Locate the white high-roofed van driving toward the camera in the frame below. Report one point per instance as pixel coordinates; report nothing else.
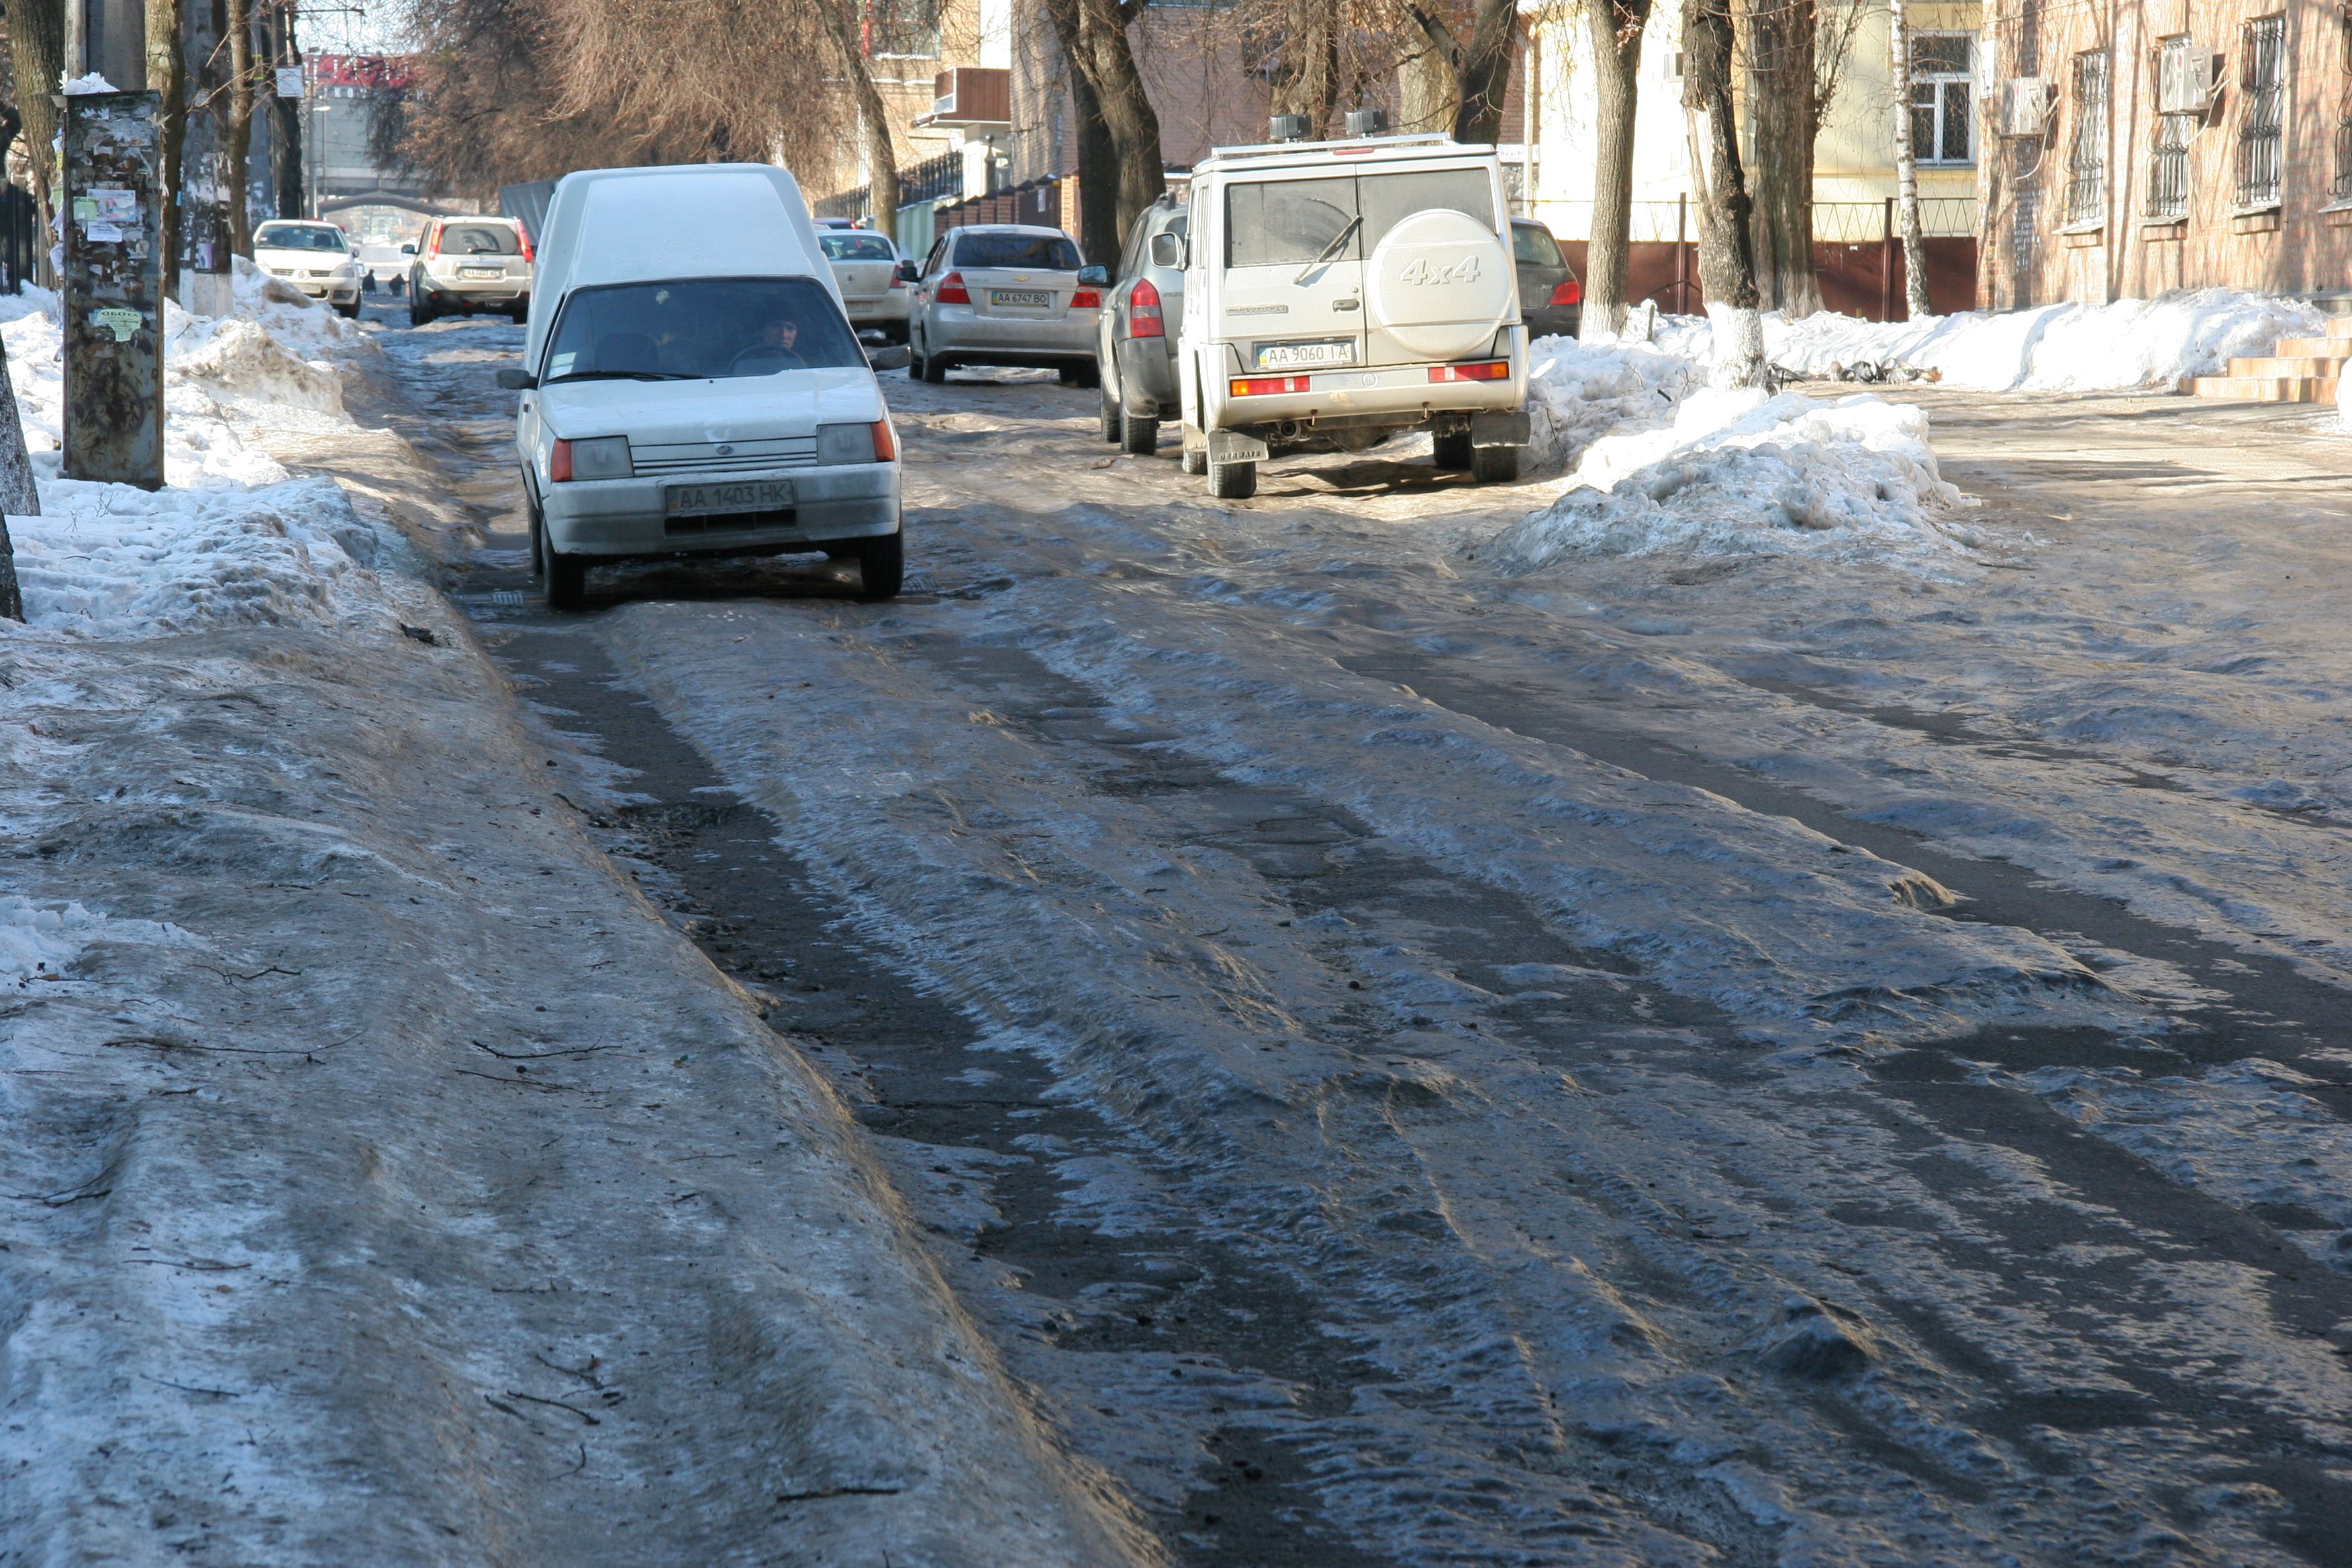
(690, 382)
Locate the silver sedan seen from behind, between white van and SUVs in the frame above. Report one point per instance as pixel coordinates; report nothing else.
(1005, 295)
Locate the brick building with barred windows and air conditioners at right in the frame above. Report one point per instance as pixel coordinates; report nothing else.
(2165, 145)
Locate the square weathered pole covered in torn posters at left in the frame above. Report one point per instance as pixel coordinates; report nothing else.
(114, 288)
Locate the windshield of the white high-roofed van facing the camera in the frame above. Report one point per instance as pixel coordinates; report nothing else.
(702, 328)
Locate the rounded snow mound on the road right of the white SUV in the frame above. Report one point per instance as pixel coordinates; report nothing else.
(1749, 474)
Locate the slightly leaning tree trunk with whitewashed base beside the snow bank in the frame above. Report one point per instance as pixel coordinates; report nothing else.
(1728, 264)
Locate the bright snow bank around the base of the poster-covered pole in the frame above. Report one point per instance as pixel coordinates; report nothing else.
(234, 540)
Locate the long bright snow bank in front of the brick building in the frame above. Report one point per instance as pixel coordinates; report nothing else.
(2054, 349)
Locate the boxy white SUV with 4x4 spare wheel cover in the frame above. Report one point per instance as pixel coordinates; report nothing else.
(1339, 293)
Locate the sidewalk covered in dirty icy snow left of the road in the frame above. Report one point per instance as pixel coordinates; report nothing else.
(385, 1179)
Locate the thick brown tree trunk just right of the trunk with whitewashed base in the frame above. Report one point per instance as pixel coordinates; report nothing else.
(1784, 46)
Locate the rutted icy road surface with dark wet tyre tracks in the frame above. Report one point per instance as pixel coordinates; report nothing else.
(1652, 1061)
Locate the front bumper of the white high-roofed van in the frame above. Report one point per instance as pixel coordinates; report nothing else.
(629, 516)
